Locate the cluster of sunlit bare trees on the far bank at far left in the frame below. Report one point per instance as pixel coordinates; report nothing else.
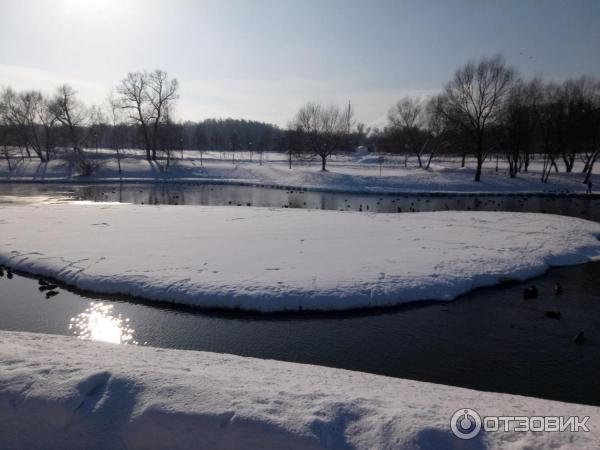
(39, 124)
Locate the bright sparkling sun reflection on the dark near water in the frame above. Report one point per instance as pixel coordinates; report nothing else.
(99, 323)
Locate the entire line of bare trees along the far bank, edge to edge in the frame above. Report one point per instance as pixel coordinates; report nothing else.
(485, 110)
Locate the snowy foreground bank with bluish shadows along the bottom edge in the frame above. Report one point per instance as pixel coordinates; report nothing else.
(60, 392)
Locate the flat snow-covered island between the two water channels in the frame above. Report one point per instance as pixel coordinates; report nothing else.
(278, 259)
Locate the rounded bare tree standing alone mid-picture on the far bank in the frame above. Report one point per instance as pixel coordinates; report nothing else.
(323, 129)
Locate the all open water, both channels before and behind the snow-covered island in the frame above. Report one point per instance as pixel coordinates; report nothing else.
(491, 339)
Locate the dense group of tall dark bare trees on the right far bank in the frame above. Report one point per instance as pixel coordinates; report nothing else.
(486, 110)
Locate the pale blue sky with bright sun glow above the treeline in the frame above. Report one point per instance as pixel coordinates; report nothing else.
(262, 59)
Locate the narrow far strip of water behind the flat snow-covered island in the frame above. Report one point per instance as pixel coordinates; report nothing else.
(583, 206)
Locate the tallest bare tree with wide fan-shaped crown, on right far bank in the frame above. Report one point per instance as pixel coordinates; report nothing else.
(474, 98)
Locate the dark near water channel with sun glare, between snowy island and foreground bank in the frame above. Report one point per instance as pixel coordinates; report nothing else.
(490, 339)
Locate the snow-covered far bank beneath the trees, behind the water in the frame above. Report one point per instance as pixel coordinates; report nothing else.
(345, 173)
